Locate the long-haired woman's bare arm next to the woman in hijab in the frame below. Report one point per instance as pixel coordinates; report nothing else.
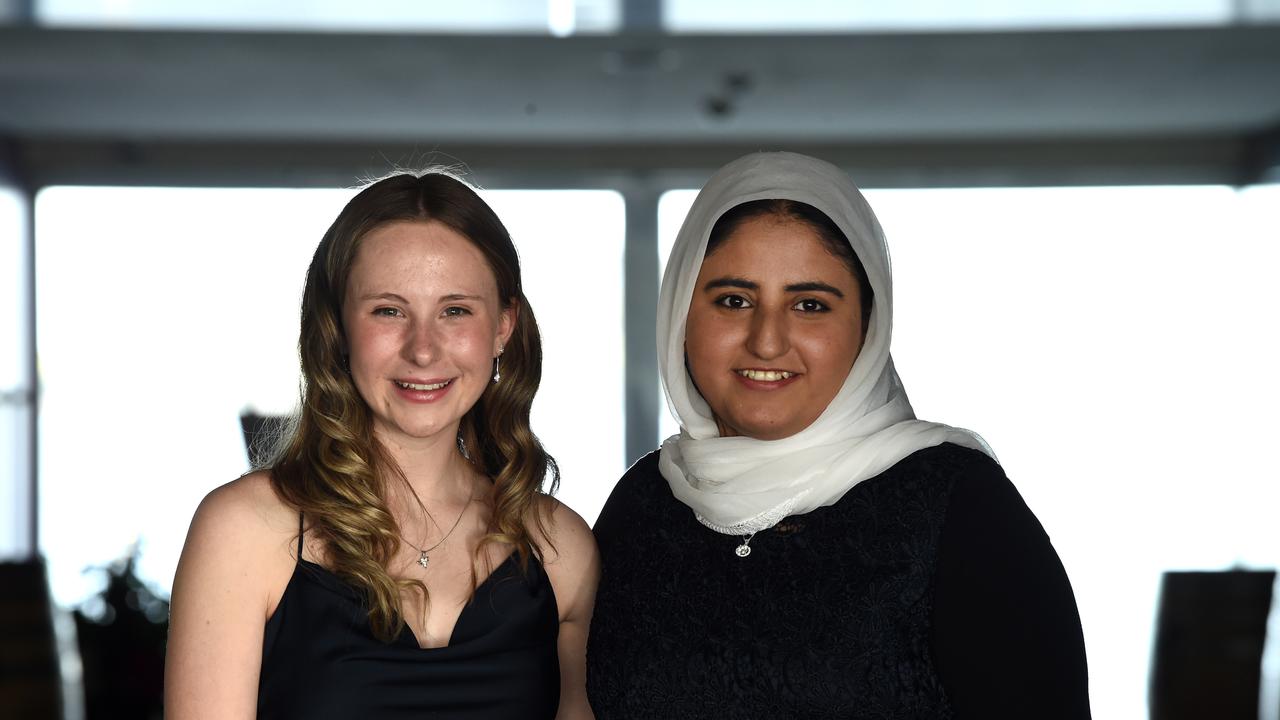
(574, 569)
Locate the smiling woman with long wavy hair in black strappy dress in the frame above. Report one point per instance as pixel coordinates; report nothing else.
(399, 558)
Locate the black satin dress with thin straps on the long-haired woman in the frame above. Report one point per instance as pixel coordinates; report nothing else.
(321, 660)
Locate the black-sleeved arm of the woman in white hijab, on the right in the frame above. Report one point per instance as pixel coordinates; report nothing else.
(1007, 632)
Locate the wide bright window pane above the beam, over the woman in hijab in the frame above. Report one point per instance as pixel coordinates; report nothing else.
(844, 16)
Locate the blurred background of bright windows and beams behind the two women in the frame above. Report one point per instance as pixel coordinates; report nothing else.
(1082, 202)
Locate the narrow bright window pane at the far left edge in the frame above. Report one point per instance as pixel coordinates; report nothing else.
(15, 384)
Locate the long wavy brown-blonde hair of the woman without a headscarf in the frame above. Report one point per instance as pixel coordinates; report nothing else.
(332, 468)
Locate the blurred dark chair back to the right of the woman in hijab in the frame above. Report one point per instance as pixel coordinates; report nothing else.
(1210, 635)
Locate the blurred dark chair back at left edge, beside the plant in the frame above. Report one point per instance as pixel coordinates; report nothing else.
(30, 683)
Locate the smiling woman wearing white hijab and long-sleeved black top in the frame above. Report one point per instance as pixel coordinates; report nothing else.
(806, 548)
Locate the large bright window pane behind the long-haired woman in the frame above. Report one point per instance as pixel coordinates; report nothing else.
(166, 313)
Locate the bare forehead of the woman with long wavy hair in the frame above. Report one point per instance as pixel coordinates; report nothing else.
(426, 256)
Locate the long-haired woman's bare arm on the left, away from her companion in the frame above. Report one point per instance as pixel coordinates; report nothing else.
(232, 572)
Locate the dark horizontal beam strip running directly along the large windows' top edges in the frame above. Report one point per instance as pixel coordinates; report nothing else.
(1148, 161)
